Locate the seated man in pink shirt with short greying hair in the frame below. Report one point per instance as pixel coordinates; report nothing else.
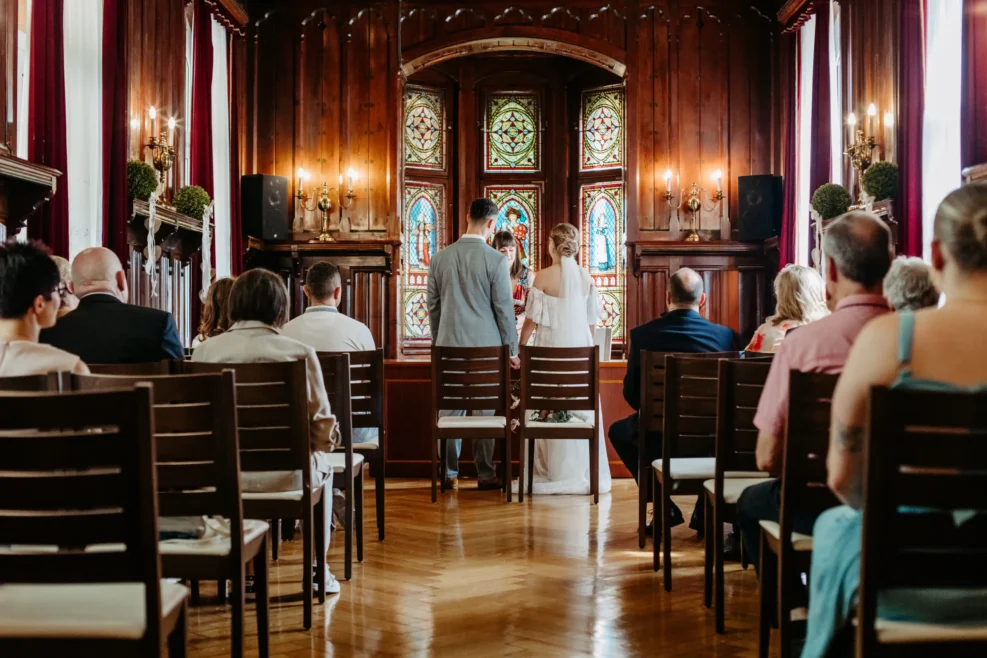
(857, 249)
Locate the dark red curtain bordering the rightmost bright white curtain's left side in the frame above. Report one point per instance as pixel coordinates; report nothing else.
(911, 118)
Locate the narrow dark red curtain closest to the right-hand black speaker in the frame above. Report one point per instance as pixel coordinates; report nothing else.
(789, 73)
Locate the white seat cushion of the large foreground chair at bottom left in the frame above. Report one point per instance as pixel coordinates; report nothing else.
(110, 611)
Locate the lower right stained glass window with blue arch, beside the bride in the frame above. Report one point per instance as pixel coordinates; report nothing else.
(602, 253)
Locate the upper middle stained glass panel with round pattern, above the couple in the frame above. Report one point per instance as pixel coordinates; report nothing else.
(511, 127)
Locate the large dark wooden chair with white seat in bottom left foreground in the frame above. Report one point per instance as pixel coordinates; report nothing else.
(65, 487)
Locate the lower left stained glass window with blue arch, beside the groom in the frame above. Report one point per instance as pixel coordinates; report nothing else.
(422, 230)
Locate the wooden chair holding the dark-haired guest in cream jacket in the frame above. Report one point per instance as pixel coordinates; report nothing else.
(273, 427)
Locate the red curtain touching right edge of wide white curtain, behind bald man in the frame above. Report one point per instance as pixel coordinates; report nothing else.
(116, 206)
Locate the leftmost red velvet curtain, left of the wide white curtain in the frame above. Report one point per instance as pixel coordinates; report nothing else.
(46, 121)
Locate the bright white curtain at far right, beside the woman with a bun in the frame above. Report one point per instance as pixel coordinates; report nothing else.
(941, 157)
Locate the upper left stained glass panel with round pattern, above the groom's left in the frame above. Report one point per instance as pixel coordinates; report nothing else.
(424, 134)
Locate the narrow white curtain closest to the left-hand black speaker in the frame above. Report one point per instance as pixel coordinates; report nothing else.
(221, 149)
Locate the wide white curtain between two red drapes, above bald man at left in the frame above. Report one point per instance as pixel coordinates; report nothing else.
(84, 122)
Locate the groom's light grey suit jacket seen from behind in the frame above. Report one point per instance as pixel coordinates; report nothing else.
(470, 303)
